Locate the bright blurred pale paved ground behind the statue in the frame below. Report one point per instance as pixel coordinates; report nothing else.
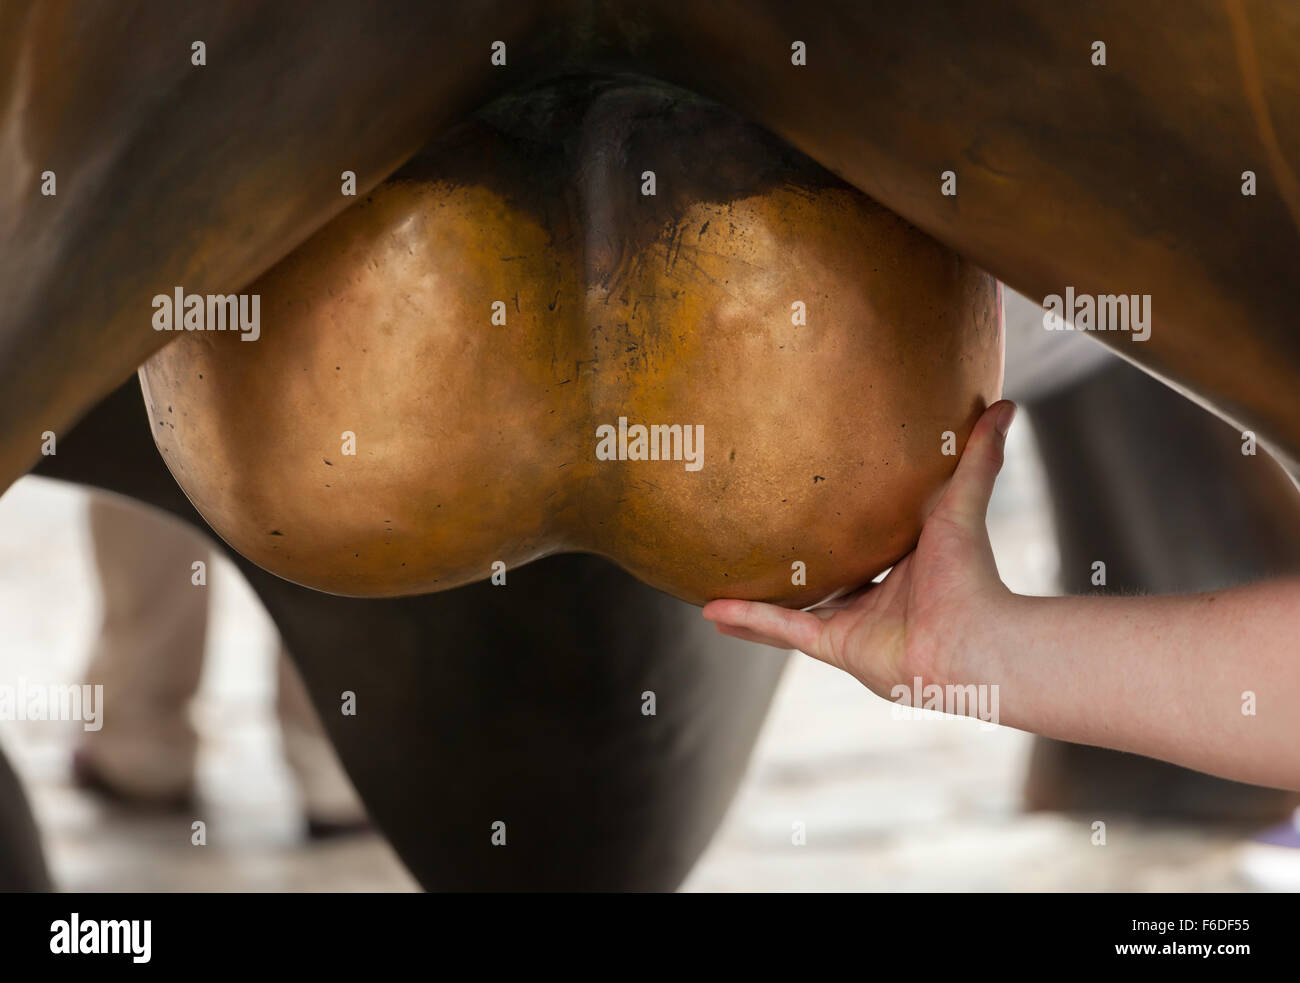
(895, 806)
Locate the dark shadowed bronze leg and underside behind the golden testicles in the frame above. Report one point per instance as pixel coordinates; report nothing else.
(604, 725)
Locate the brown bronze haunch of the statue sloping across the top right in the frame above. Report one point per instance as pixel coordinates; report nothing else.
(1116, 179)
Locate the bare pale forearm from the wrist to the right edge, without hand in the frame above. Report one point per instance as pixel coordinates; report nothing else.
(1211, 682)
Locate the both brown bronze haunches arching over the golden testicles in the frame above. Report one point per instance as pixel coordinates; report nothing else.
(1124, 177)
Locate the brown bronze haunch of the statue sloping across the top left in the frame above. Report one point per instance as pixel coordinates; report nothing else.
(168, 172)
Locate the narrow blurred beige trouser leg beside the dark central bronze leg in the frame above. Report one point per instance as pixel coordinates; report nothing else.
(330, 802)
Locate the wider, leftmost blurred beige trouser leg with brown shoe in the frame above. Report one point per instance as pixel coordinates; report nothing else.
(149, 656)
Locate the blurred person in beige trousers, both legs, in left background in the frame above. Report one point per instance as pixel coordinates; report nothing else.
(150, 661)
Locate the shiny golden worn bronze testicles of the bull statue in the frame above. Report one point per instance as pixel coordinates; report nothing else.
(749, 383)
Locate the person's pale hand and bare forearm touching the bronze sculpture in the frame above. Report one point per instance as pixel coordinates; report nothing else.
(1171, 678)
